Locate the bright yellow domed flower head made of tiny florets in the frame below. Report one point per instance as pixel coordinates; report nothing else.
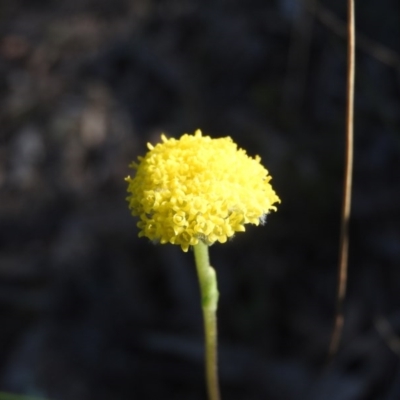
(198, 188)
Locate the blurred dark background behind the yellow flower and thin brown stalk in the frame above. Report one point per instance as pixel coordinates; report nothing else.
(88, 310)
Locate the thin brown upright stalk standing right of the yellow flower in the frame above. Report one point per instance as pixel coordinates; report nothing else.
(344, 231)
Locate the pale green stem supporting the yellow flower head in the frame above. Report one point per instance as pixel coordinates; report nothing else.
(209, 301)
